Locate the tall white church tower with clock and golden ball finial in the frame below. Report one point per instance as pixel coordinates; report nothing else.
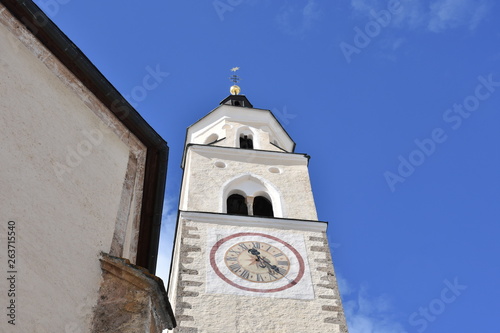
(250, 254)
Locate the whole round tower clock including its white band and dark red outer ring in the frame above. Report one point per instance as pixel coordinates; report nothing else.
(257, 262)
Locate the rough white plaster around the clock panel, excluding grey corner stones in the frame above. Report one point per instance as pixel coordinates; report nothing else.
(219, 312)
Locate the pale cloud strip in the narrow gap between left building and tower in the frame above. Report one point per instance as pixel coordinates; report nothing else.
(168, 222)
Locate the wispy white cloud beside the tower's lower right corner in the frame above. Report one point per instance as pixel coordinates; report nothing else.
(368, 314)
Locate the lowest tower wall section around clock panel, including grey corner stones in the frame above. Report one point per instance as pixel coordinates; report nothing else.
(198, 311)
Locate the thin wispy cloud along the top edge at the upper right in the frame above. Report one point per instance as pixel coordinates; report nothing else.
(434, 16)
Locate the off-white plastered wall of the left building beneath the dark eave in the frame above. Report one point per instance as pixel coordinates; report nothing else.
(71, 179)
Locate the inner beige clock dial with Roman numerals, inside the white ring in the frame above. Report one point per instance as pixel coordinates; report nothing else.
(257, 262)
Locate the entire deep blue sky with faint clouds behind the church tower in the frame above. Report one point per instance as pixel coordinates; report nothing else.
(397, 102)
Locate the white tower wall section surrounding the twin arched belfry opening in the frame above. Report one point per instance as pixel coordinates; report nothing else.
(210, 170)
